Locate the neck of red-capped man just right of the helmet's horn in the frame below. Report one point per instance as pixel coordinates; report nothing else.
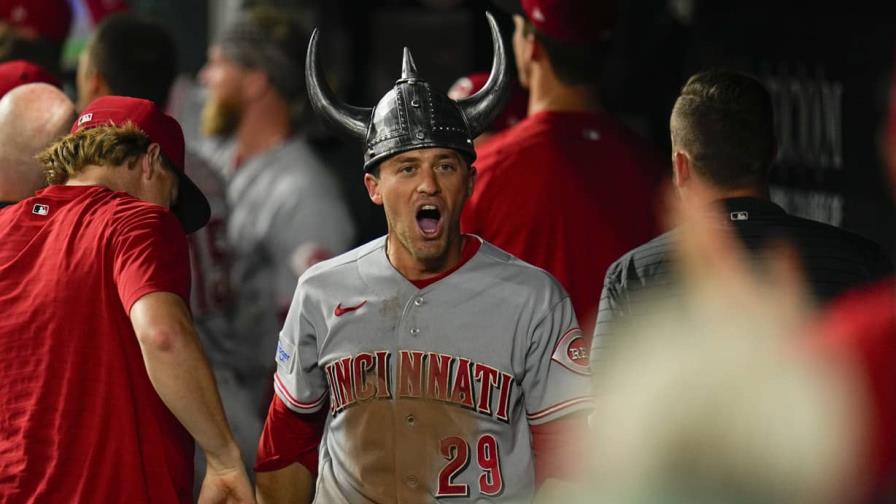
(549, 94)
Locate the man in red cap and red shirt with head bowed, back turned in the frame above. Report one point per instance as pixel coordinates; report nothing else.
(104, 384)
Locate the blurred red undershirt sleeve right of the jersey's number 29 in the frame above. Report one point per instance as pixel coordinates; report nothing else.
(557, 448)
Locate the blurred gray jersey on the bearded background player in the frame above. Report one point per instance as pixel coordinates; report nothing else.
(283, 204)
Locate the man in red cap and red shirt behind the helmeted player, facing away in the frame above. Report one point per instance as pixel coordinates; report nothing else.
(569, 188)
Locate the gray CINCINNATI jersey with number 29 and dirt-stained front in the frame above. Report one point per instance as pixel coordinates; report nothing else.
(431, 391)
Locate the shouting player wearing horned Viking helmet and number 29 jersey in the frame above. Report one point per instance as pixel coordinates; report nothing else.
(436, 366)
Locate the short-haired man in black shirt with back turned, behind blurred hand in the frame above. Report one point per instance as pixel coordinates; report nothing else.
(722, 148)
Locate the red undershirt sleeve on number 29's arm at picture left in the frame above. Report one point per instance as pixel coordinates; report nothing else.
(289, 437)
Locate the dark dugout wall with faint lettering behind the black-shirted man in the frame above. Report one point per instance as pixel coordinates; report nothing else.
(827, 66)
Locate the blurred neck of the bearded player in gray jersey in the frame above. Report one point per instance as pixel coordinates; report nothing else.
(265, 124)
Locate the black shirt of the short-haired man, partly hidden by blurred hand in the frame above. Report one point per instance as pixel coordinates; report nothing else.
(833, 261)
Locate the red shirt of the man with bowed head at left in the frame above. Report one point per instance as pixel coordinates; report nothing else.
(79, 419)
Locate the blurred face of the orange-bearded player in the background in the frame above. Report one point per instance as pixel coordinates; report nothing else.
(222, 78)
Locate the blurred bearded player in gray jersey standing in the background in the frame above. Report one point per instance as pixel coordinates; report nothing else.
(277, 187)
